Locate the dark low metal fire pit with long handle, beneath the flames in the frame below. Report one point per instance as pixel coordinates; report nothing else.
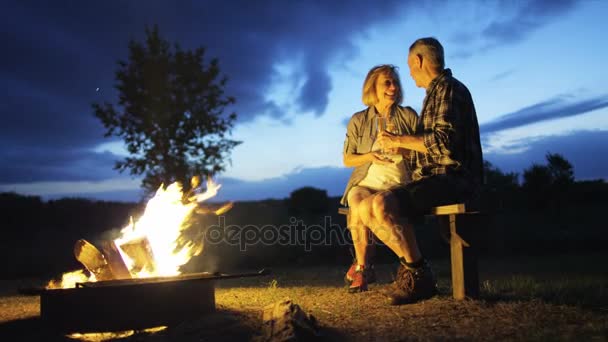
(130, 304)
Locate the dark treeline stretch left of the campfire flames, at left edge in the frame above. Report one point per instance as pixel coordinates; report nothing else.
(38, 236)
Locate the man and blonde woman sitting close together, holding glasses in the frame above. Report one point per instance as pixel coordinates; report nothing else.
(405, 165)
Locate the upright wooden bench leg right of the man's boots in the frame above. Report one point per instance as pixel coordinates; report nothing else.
(465, 279)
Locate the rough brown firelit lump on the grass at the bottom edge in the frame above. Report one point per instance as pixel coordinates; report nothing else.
(286, 321)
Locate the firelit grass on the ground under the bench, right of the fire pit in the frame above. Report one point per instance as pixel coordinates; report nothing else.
(525, 298)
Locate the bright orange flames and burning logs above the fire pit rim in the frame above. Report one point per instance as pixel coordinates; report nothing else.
(155, 245)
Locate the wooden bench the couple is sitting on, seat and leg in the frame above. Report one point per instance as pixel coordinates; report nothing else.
(458, 228)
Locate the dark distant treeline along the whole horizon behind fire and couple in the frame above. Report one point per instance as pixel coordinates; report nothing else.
(546, 212)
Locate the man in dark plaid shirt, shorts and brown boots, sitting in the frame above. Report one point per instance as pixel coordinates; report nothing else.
(448, 169)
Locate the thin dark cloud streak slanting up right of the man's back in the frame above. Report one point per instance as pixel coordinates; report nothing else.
(552, 109)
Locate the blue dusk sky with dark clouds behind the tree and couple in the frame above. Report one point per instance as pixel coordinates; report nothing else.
(536, 70)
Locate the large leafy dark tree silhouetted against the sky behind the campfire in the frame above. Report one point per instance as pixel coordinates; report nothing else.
(170, 113)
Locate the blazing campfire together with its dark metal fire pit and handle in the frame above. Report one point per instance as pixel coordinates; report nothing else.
(134, 281)
